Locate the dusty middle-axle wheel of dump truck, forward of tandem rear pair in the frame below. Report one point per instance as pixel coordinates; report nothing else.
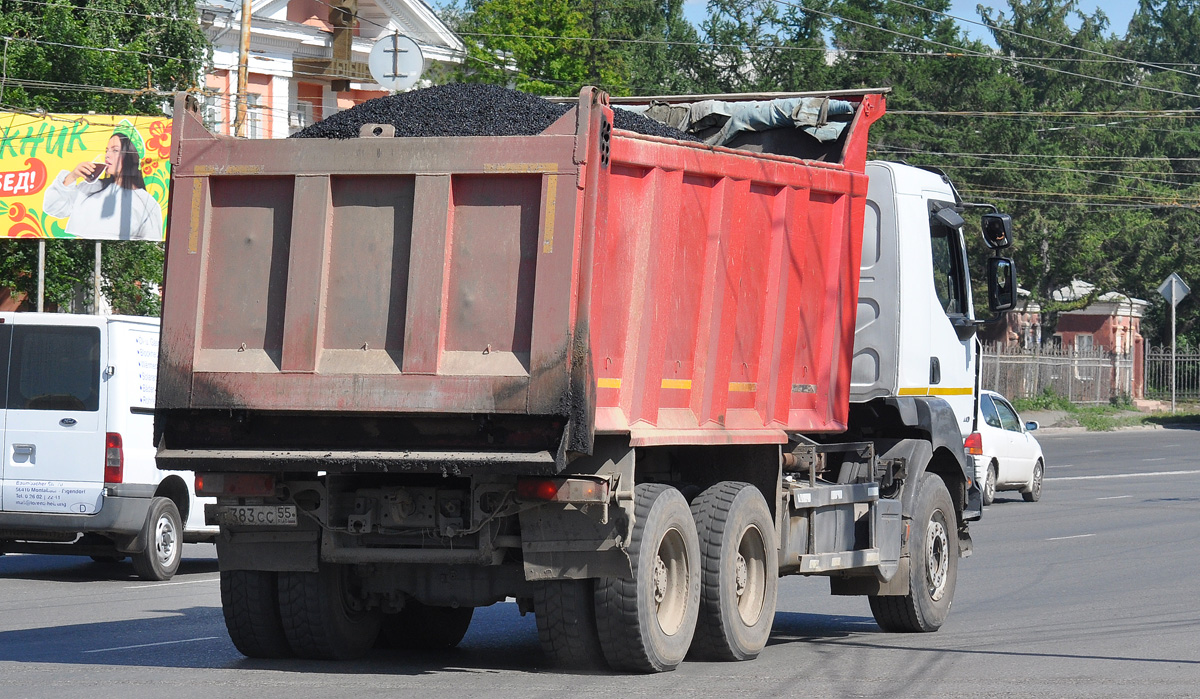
(740, 572)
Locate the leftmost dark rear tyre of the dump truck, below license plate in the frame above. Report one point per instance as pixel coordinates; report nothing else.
(250, 601)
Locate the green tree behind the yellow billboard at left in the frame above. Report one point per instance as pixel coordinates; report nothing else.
(110, 57)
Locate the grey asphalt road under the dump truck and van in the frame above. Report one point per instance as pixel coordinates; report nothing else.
(1090, 593)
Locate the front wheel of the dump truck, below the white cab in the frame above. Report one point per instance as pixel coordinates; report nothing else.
(933, 567)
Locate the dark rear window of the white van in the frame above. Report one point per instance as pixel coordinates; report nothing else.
(55, 369)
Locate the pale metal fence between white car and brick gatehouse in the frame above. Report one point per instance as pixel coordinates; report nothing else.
(1084, 377)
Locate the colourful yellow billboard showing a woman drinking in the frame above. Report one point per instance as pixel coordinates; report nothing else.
(85, 176)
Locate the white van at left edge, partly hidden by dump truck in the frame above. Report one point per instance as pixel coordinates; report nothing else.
(77, 474)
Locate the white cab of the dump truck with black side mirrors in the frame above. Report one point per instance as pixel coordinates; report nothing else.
(915, 339)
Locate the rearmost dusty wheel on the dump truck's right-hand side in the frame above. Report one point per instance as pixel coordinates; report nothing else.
(646, 623)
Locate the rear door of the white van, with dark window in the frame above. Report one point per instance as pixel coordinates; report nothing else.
(55, 429)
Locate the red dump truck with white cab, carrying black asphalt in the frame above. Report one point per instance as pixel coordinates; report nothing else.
(626, 380)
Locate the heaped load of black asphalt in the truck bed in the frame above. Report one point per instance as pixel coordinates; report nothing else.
(467, 110)
